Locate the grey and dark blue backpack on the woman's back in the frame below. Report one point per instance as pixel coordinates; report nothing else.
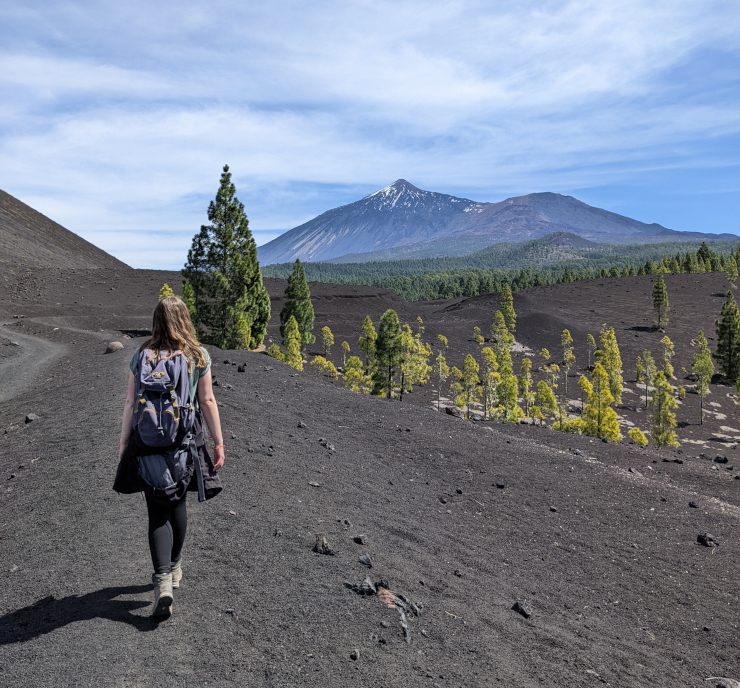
(163, 410)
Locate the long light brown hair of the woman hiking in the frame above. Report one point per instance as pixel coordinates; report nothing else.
(173, 330)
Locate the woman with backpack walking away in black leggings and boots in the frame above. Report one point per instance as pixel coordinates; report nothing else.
(163, 450)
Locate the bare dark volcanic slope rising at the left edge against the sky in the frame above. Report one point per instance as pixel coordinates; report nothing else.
(30, 239)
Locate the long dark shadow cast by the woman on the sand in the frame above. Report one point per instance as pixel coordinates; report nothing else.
(48, 614)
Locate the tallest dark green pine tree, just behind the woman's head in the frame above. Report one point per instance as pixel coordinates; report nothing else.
(224, 274)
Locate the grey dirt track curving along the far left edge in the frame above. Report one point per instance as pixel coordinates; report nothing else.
(35, 356)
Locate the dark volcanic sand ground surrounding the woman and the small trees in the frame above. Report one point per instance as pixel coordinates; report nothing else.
(463, 519)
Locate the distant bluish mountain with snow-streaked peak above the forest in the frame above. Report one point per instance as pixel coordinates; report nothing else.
(402, 220)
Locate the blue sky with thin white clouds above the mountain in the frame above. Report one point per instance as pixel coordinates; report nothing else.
(116, 118)
